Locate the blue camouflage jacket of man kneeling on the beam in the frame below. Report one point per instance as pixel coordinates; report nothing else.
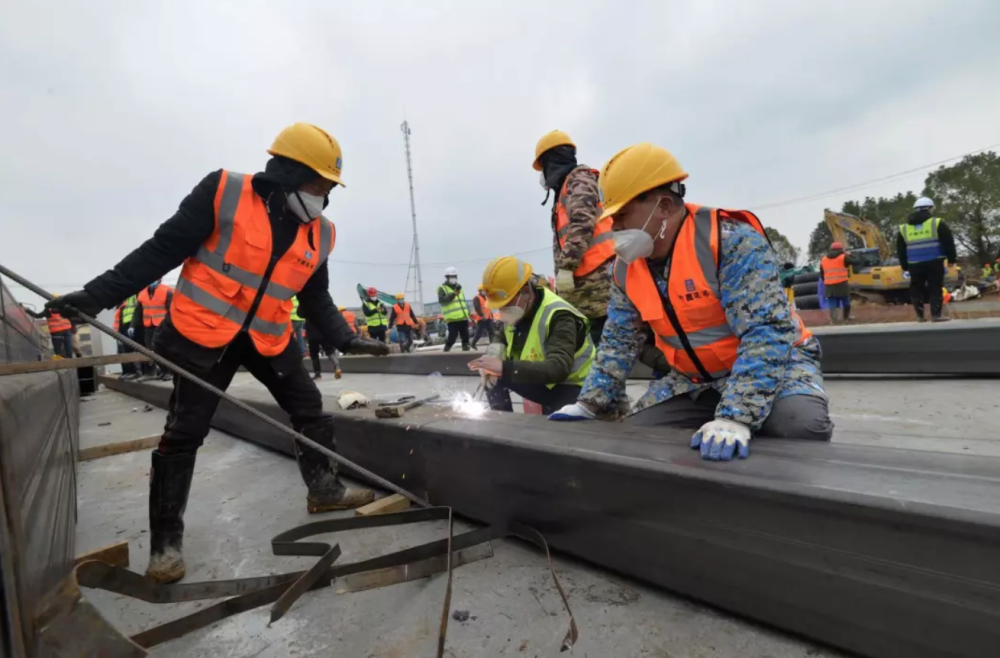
(768, 364)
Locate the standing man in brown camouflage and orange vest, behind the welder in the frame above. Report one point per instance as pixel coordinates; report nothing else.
(582, 246)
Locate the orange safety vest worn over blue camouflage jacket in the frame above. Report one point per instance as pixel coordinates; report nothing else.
(690, 324)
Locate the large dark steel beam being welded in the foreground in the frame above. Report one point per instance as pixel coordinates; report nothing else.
(883, 552)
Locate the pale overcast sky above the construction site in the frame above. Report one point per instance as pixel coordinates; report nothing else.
(112, 111)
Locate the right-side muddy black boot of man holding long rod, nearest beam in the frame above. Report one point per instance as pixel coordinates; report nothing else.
(326, 492)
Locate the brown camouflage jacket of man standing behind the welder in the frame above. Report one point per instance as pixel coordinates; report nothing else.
(582, 201)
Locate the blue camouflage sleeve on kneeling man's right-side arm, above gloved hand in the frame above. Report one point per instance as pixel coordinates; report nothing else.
(760, 315)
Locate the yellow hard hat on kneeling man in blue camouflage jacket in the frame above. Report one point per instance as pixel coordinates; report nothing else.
(634, 170)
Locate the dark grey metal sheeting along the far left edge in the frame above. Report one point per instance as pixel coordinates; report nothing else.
(39, 432)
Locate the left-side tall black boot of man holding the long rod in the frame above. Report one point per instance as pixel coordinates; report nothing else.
(169, 485)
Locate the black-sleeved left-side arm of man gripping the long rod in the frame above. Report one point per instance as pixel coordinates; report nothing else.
(175, 239)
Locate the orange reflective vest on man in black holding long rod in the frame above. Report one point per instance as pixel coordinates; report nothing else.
(221, 282)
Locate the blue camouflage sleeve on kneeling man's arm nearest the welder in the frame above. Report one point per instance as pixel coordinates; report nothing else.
(622, 341)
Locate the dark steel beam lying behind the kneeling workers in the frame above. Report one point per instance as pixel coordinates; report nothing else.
(960, 347)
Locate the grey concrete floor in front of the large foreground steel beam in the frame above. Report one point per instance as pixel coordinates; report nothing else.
(243, 495)
